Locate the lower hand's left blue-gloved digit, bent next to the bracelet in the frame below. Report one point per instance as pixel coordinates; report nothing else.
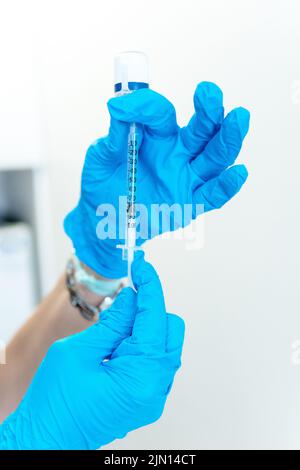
(115, 324)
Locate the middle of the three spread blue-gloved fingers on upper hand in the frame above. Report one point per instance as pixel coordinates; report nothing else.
(225, 146)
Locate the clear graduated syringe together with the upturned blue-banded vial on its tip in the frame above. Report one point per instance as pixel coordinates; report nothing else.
(131, 73)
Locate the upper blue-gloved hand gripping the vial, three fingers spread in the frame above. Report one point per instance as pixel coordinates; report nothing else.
(191, 165)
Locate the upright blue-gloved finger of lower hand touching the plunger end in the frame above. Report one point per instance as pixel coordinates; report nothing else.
(149, 329)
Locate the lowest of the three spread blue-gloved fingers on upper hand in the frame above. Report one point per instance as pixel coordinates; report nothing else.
(217, 191)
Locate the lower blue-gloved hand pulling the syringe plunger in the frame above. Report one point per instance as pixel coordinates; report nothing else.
(80, 400)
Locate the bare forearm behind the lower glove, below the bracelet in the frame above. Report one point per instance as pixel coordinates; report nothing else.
(54, 318)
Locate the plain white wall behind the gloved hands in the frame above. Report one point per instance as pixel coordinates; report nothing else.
(239, 295)
